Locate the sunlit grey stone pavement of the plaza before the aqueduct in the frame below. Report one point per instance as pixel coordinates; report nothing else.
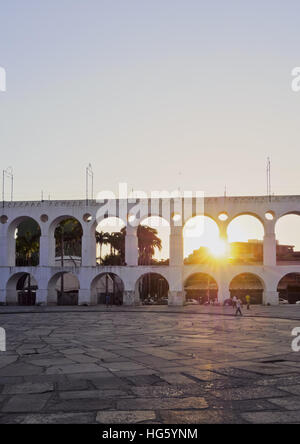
(149, 365)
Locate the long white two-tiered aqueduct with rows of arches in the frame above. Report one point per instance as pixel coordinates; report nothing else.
(47, 215)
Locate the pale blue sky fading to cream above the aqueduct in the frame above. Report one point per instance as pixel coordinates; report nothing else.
(158, 94)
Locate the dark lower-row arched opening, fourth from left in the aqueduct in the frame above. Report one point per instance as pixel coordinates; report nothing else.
(152, 289)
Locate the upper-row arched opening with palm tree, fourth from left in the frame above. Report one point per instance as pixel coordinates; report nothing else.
(154, 241)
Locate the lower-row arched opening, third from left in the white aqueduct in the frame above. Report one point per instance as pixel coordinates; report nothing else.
(107, 288)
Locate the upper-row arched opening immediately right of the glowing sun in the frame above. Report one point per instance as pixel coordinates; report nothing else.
(245, 238)
